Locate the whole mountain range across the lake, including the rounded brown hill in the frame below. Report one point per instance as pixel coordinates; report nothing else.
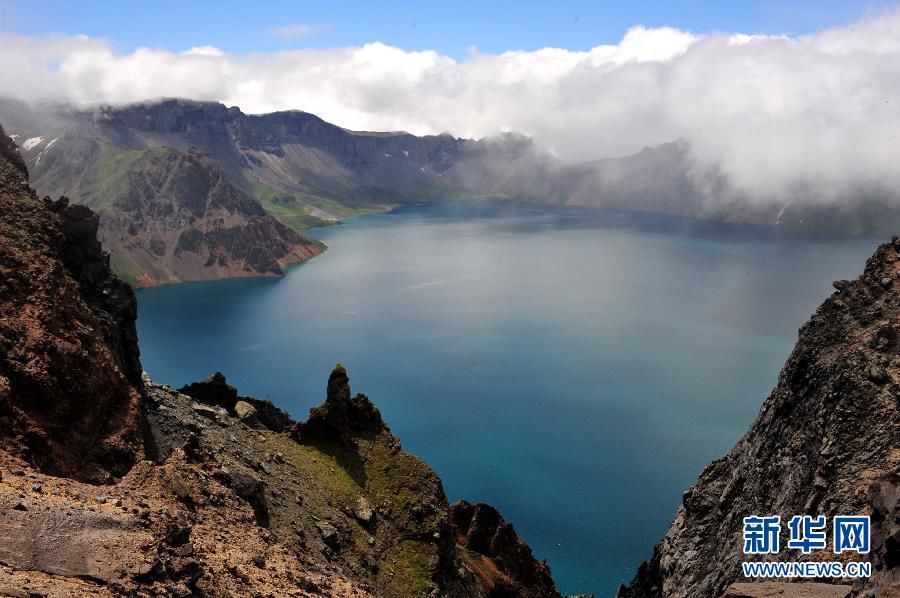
(196, 190)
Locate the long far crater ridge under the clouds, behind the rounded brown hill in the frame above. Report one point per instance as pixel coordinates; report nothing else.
(305, 170)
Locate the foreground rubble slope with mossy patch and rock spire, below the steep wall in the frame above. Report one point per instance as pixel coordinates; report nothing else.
(230, 509)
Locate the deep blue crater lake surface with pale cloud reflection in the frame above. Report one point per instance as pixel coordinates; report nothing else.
(575, 369)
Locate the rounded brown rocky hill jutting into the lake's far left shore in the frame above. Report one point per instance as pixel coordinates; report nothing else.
(168, 216)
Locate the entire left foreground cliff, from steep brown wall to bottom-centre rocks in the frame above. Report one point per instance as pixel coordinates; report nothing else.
(112, 485)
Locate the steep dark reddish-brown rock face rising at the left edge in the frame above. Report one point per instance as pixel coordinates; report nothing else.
(69, 367)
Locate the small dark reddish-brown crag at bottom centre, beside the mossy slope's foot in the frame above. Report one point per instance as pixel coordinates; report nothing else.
(503, 564)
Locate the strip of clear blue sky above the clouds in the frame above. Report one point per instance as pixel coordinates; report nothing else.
(448, 27)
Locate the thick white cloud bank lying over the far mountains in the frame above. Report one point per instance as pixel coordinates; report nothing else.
(771, 114)
